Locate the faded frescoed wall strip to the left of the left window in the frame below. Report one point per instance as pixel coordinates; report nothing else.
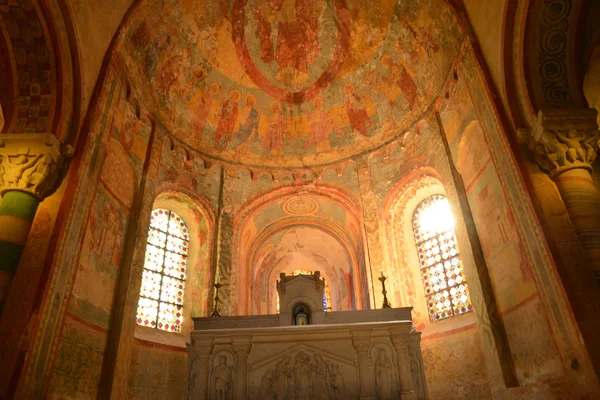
(119, 153)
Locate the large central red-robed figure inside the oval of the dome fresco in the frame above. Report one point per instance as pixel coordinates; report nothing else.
(297, 43)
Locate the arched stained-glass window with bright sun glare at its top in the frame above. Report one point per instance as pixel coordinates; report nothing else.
(446, 289)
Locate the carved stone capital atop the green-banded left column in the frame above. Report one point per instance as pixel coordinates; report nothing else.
(32, 163)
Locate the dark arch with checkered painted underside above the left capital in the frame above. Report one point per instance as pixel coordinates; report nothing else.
(43, 81)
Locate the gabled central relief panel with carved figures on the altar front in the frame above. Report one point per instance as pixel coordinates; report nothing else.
(303, 372)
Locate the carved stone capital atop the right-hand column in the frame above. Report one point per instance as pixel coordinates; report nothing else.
(565, 139)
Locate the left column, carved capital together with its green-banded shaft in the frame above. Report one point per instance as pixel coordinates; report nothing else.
(30, 171)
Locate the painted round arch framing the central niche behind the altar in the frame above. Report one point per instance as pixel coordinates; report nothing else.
(277, 213)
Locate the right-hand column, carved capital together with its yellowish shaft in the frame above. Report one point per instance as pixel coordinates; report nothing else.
(565, 144)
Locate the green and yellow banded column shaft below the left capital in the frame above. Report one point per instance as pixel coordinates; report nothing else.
(17, 210)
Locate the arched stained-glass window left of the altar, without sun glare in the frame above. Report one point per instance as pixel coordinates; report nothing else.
(160, 303)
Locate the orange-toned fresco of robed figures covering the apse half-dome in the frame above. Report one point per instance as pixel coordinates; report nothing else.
(289, 83)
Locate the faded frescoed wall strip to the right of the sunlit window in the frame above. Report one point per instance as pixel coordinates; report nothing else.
(532, 302)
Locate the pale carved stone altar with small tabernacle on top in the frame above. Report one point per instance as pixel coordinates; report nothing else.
(369, 354)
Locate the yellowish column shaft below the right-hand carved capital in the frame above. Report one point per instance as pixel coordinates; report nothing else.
(582, 200)
